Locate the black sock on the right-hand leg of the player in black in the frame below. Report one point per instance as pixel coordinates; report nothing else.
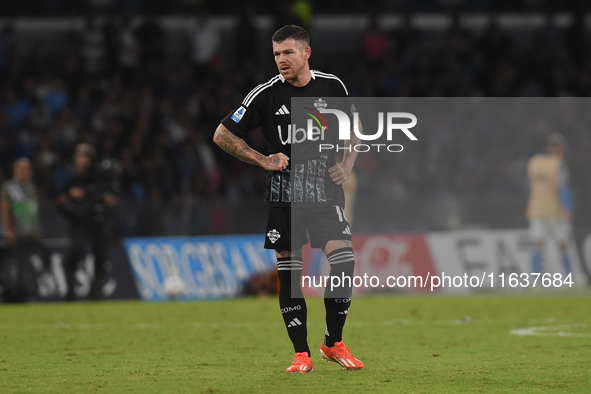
(337, 300)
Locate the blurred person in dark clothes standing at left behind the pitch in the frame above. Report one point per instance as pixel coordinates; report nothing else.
(89, 203)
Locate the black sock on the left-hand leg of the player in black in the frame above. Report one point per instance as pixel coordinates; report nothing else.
(292, 302)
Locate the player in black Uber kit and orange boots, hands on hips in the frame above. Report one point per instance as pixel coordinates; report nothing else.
(269, 106)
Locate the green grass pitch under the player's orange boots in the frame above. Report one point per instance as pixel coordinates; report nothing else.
(407, 345)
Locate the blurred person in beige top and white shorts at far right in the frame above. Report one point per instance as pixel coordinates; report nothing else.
(550, 205)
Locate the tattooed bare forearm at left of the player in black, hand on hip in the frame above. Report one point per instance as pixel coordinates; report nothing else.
(238, 148)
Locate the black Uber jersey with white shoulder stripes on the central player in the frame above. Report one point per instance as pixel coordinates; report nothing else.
(306, 182)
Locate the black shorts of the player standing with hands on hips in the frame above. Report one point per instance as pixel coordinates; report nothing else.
(289, 228)
